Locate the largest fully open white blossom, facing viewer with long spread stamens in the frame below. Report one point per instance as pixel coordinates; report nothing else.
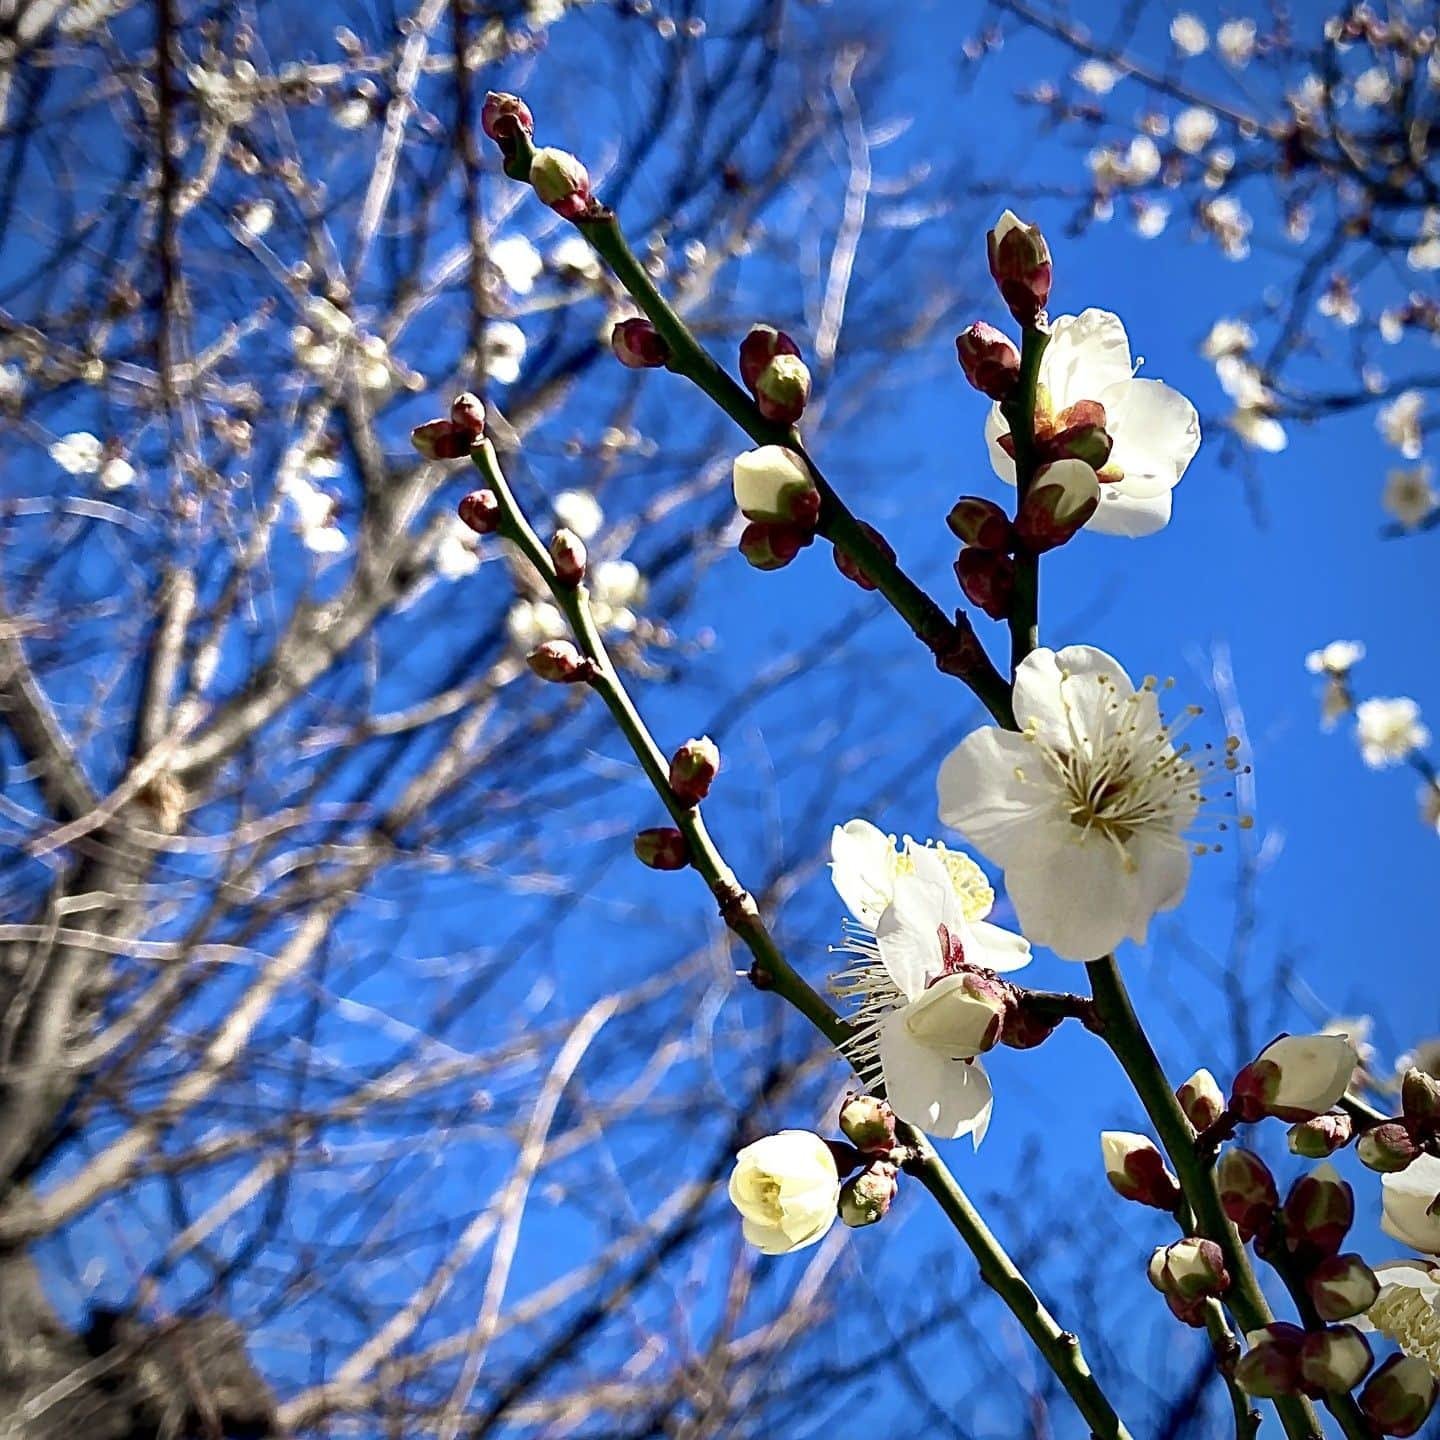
(1085, 809)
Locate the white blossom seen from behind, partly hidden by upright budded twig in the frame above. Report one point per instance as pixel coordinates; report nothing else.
(1156, 430)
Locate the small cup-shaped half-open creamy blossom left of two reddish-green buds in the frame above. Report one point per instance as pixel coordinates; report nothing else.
(786, 1187)
